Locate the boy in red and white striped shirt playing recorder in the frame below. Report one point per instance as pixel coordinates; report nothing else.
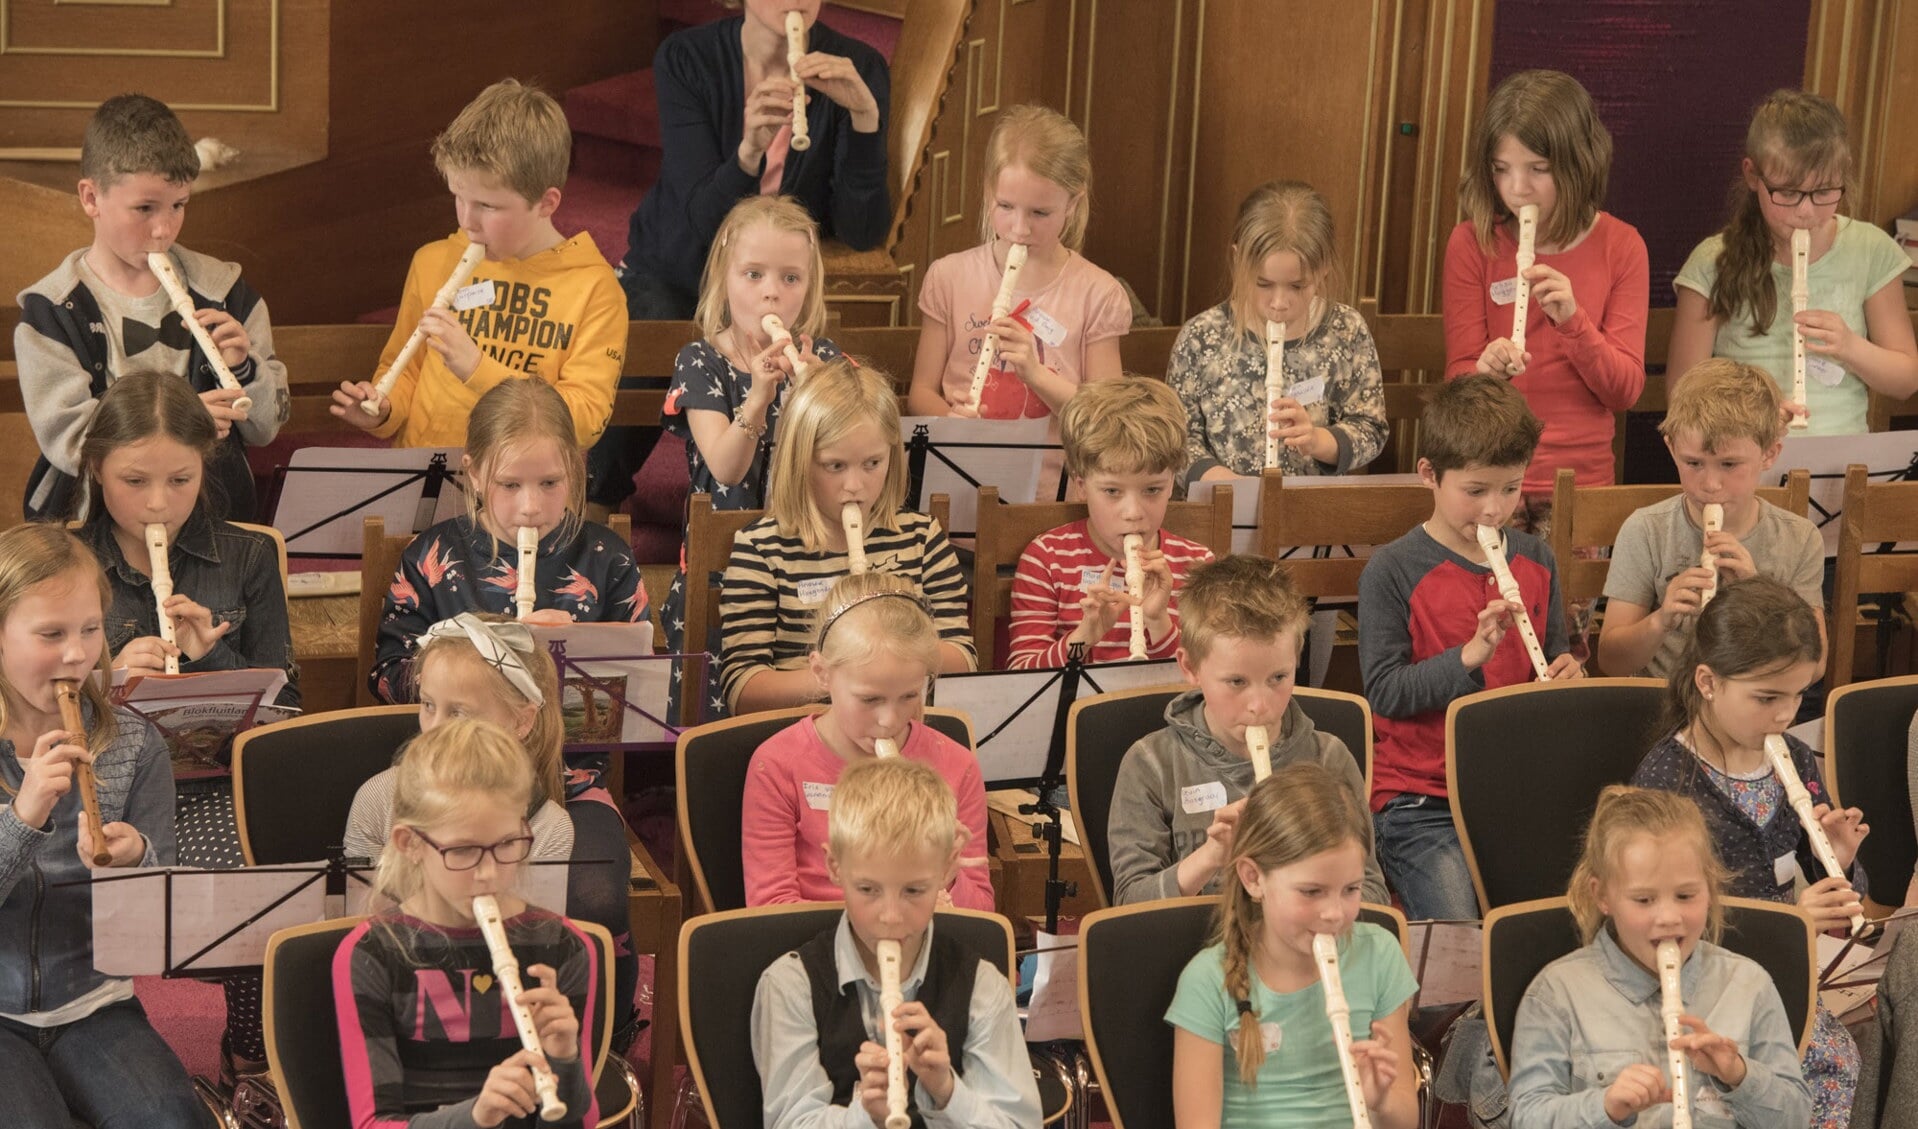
(1125, 449)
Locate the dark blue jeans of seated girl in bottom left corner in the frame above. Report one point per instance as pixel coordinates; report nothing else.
(112, 1071)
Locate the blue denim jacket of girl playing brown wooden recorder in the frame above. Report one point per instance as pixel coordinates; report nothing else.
(47, 917)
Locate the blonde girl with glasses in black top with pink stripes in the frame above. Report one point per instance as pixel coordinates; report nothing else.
(427, 1040)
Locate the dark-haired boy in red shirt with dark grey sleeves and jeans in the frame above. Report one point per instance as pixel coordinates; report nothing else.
(1434, 628)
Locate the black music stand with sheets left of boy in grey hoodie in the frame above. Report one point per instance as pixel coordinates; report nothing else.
(1023, 718)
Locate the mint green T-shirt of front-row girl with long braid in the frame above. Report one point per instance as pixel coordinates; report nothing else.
(1299, 1084)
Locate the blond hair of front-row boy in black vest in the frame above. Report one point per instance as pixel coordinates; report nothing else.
(893, 808)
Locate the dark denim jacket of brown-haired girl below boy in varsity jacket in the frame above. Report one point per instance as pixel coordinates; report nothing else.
(223, 568)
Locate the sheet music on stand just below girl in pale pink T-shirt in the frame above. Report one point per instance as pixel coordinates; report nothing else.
(971, 453)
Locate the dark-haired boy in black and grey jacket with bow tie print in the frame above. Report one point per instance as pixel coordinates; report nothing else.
(103, 313)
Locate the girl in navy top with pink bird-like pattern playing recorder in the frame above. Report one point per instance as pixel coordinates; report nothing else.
(523, 467)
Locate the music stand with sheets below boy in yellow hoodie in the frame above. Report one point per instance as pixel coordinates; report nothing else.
(329, 492)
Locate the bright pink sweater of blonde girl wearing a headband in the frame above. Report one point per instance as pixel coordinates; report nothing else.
(789, 791)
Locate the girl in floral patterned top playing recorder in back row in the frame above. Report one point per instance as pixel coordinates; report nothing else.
(1332, 415)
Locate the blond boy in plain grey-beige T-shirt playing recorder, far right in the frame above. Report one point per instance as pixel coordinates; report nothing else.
(1725, 426)
